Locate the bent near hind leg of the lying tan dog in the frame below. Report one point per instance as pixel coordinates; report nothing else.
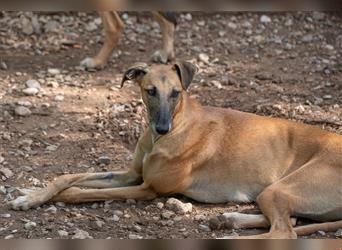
(312, 191)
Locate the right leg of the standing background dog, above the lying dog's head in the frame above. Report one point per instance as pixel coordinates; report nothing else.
(167, 28)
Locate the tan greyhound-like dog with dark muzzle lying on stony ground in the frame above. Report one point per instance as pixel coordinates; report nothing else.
(217, 155)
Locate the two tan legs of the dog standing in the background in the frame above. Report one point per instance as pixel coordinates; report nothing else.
(113, 28)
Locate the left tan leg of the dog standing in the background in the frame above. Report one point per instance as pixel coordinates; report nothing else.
(113, 27)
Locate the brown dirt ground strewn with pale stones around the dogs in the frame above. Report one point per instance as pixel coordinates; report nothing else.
(57, 118)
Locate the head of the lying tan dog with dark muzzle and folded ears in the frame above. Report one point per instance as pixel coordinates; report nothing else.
(161, 89)
